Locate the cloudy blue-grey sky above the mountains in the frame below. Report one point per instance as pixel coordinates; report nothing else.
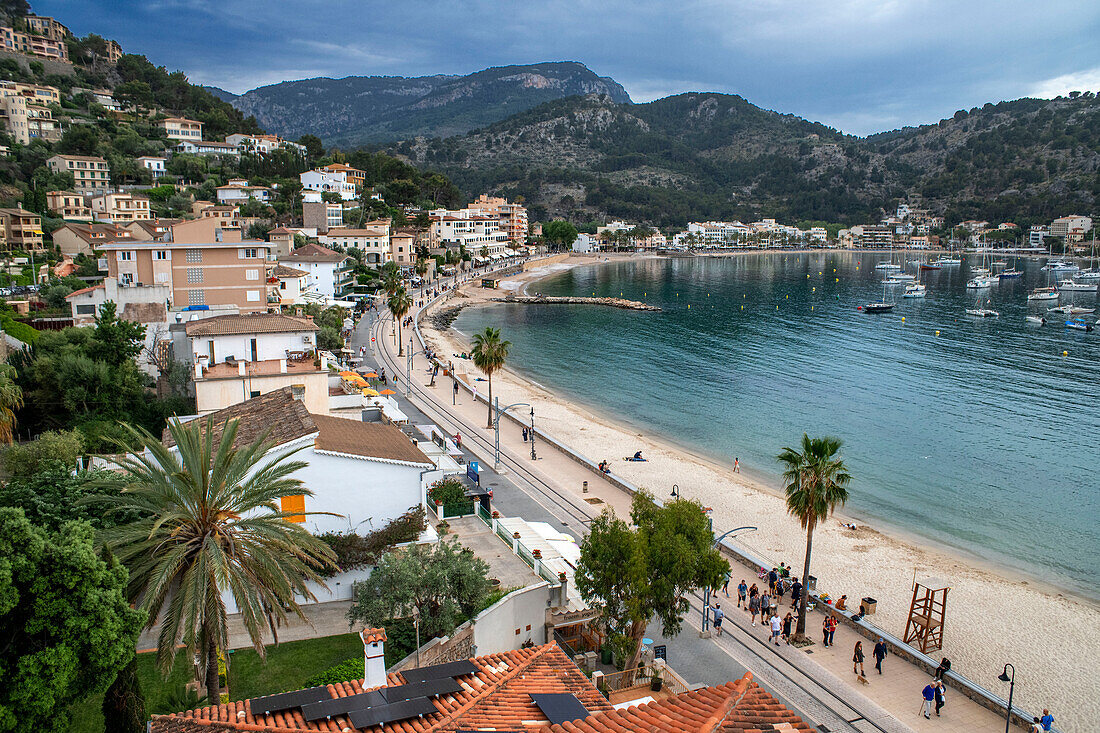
(862, 67)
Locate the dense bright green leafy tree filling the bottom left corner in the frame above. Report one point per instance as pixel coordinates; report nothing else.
(67, 628)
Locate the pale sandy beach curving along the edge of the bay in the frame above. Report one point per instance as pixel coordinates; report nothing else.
(994, 616)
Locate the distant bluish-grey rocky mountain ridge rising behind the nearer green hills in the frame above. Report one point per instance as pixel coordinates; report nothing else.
(359, 111)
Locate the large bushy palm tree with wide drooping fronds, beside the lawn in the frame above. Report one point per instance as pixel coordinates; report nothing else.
(212, 523)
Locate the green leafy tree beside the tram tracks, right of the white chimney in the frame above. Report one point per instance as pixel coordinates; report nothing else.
(635, 574)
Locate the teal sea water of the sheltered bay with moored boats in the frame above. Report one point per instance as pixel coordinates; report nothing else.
(980, 434)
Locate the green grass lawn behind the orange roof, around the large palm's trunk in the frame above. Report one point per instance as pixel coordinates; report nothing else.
(287, 668)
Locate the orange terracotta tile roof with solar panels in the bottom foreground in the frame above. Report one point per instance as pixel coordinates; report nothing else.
(498, 698)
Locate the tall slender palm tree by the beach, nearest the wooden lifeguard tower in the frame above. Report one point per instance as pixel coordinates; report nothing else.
(817, 483)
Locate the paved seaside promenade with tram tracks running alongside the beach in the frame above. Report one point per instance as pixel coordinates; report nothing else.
(818, 682)
